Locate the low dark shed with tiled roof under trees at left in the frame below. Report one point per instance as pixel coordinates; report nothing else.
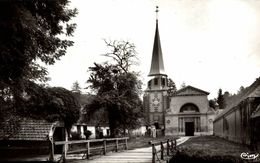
(30, 140)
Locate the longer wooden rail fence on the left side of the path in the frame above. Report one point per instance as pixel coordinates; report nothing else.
(89, 147)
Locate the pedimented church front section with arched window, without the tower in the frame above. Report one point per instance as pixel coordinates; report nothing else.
(189, 113)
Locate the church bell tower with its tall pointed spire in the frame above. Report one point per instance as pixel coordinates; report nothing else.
(155, 96)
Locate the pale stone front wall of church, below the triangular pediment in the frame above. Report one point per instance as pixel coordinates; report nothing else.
(173, 115)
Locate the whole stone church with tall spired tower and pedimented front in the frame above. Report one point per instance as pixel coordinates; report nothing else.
(185, 112)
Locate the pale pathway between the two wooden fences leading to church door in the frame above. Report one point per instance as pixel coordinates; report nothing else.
(140, 155)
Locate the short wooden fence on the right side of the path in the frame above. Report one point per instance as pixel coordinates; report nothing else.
(167, 147)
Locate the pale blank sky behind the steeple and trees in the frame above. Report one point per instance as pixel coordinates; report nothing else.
(208, 44)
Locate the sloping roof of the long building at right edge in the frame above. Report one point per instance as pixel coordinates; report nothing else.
(244, 95)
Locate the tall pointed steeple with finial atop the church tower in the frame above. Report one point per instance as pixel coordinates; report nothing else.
(157, 67)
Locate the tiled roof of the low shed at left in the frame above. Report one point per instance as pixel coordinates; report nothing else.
(26, 129)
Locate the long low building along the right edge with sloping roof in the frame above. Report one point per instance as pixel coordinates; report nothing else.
(240, 120)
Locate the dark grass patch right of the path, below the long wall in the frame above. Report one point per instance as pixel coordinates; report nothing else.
(211, 149)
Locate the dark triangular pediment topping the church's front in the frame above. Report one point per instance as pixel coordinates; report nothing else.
(189, 90)
